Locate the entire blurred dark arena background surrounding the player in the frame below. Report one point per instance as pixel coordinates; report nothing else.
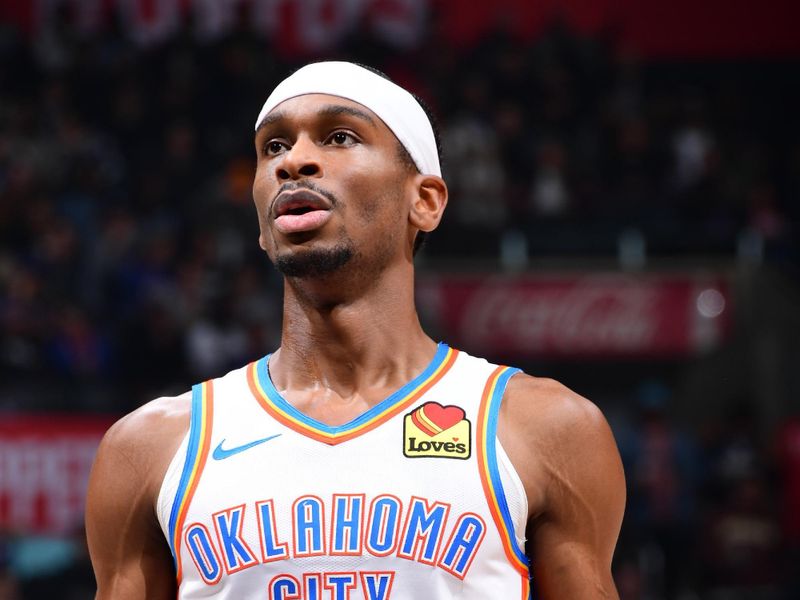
(624, 216)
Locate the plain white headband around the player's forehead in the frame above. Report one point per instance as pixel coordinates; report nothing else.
(394, 105)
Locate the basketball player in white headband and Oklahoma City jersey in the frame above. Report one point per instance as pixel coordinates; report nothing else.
(360, 460)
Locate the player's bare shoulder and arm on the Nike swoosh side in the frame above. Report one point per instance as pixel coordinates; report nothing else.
(129, 553)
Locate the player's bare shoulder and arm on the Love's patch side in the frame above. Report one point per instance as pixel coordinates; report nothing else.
(566, 455)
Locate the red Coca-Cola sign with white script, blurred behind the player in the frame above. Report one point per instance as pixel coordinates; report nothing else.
(590, 315)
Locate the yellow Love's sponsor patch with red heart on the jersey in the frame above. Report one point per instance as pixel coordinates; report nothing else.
(436, 431)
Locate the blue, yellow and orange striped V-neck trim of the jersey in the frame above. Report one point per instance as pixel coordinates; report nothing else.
(276, 405)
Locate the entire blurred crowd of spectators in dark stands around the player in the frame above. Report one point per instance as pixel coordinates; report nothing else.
(129, 263)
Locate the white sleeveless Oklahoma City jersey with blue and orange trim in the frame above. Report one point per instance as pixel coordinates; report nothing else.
(414, 499)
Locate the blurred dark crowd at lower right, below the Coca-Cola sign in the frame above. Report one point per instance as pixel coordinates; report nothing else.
(710, 515)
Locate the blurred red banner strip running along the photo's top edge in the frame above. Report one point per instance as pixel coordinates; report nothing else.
(680, 28)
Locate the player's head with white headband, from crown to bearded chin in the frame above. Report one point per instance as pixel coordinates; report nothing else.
(329, 169)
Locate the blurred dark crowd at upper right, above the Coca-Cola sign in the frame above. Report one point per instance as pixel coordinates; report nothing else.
(593, 151)
